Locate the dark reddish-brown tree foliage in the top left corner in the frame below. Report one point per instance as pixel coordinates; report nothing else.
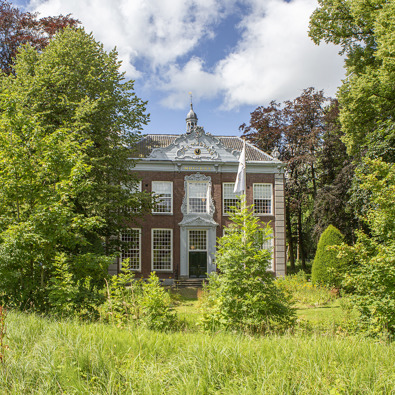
(18, 28)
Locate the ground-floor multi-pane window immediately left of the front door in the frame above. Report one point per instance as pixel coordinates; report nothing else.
(162, 249)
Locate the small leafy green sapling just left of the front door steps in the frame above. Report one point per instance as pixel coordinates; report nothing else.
(155, 304)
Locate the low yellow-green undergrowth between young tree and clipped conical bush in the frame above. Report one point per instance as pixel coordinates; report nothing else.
(302, 292)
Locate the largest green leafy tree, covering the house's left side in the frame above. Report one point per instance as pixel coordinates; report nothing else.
(68, 123)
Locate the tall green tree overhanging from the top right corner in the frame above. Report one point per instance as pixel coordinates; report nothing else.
(365, 32)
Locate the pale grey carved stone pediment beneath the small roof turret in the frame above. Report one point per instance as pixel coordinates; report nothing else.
(195, 146)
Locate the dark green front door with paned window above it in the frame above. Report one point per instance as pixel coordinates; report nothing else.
(197, 257)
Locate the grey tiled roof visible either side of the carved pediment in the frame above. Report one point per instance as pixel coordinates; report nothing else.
(151, 141)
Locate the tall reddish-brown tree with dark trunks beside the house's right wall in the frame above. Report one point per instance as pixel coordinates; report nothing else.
(296, 130)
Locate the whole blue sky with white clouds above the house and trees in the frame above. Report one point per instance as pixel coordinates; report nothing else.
(232, 55)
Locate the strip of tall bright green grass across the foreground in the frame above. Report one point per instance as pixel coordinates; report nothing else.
(47, 356)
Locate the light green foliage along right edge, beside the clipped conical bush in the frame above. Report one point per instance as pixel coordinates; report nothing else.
(373, 278)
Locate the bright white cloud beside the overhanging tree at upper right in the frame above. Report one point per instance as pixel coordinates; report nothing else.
(275, 59)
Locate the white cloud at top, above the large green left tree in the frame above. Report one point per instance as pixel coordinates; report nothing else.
(157, 31)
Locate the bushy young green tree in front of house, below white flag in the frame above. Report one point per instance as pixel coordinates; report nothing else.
(243, 294)
